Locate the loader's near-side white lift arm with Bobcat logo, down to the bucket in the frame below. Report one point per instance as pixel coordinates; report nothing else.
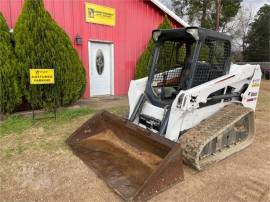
(194, 105)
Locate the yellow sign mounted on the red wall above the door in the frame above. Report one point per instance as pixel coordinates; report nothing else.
(99, 14)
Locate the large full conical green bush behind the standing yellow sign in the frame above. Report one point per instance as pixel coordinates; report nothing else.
(41, 43)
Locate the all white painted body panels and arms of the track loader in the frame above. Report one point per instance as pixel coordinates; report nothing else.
(186, 112)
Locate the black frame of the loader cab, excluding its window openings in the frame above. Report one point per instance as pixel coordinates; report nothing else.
(199, 40)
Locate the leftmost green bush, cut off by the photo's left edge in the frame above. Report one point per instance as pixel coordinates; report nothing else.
(10, 95)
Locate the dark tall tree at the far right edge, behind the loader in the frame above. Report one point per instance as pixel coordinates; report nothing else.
(258, 38)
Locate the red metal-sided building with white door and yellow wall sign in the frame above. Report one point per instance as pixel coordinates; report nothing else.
(109, 35)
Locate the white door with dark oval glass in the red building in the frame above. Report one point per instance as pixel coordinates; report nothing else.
(101, 68)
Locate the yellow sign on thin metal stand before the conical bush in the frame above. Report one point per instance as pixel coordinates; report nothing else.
(41, 76)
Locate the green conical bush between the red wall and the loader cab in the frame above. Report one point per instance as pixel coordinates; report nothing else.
(145, 58)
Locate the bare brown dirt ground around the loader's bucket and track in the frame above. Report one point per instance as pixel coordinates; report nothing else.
(46, 170)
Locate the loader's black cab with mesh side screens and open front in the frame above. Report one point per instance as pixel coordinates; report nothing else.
(185, 58)
